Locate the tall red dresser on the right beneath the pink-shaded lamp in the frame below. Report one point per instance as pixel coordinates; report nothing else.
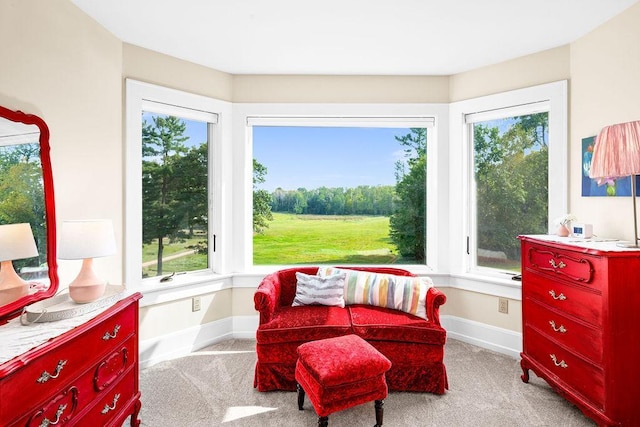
(581, 320)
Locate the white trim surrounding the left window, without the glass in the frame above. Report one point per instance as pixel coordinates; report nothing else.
(137, 94)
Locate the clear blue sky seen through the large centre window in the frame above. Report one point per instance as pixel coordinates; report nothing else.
(313, 157)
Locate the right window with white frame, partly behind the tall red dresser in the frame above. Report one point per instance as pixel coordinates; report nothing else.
(508, 158)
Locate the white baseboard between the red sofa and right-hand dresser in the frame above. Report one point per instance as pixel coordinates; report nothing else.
(482, 335)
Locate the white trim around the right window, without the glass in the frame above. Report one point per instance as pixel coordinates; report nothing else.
(555, 94)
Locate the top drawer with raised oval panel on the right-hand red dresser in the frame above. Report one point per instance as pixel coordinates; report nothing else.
(562, 264)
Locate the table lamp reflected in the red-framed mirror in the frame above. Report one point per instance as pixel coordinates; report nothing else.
(16, 242)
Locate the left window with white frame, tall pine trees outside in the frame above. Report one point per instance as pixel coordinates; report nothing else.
(173, 213)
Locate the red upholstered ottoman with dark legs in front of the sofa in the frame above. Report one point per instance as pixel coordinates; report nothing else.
(338, 373)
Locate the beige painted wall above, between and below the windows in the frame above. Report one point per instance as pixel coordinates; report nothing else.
(70, 72)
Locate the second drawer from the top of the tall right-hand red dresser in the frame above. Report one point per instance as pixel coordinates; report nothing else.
(576, 301)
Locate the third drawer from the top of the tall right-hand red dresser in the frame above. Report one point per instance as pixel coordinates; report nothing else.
(564, 330)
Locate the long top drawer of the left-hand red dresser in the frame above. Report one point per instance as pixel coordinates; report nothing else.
(63, 364)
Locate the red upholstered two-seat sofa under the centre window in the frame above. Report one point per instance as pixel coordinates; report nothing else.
(414, 346)
